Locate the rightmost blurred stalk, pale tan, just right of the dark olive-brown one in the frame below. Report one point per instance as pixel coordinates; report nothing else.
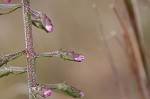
(139, 35)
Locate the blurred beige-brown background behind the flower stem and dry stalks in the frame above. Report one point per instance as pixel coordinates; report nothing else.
(75, 28)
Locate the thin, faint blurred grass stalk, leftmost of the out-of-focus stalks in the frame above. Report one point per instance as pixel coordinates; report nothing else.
(118, 80)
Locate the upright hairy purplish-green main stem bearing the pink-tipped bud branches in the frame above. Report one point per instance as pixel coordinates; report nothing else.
(29, 46)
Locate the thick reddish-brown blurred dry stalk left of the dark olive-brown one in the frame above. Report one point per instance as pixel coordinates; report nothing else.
(132, 49)
